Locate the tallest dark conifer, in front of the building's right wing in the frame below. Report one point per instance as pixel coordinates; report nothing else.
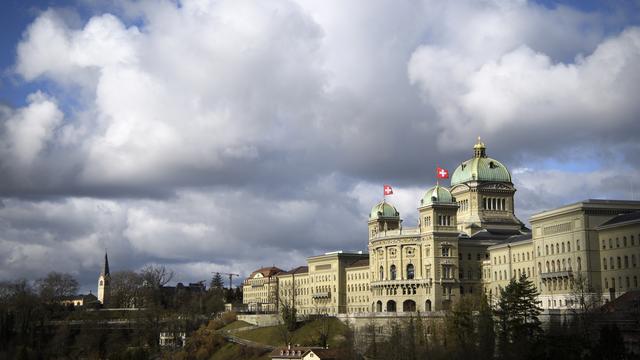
(518, 322)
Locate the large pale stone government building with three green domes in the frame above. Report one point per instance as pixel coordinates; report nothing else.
(468, 241)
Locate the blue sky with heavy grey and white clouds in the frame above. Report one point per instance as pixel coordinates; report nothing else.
(228, 135)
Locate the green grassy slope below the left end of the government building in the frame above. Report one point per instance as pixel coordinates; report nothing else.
(306, 335)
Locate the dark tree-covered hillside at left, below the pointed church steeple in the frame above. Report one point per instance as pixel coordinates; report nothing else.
(35, 325)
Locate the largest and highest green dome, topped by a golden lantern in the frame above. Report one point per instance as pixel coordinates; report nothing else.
(480, 168)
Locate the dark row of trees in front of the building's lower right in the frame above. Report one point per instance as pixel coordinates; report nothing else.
(510, 330)
